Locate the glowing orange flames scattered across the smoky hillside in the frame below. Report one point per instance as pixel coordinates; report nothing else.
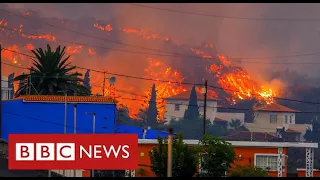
(234, 80)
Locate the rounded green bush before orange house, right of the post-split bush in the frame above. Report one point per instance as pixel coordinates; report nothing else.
(216, 157)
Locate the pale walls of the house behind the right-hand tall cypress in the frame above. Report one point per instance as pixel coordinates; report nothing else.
(171, 113)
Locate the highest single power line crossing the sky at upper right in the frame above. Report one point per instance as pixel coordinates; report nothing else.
(226, 17)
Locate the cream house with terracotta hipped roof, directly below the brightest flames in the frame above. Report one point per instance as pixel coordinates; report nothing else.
(272, 117)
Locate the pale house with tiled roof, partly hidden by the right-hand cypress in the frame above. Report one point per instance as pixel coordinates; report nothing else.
(176, 106)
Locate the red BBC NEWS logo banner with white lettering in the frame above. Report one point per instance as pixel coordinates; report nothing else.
(73, 151)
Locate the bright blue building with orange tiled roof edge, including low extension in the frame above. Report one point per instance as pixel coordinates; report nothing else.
(45, 114)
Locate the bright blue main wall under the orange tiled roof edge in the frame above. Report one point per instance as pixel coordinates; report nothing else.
(40, 117)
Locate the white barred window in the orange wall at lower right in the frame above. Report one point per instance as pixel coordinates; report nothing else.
(267, 162)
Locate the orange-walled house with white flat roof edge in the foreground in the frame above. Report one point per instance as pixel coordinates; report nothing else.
(268, 155)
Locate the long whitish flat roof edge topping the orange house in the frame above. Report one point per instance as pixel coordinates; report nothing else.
(244, 143)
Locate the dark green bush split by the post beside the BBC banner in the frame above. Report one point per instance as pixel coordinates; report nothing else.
(184, 158)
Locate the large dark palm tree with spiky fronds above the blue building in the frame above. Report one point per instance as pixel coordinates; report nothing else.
(51, 75)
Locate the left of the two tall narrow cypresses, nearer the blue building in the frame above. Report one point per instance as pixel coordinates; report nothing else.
(152, 112)
